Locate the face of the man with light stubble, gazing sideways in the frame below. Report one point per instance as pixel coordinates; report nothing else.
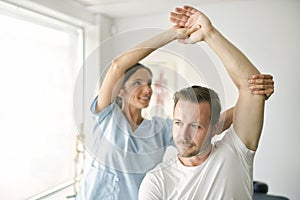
(191, 126)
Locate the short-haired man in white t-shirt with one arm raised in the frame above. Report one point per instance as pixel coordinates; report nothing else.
(202, 170)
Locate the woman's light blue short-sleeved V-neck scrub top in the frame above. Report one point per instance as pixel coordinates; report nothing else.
(122, 156)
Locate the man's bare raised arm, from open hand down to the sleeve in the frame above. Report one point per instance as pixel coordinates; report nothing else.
(249, 109)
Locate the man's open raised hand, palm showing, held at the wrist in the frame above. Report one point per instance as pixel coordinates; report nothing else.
(193, 19)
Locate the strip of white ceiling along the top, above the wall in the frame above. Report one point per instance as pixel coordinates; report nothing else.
(128, 8)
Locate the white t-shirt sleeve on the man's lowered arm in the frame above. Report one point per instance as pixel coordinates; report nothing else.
(150, 188)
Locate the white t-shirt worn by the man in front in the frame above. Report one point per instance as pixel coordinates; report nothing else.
(226, 174)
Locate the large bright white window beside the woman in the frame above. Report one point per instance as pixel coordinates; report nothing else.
(40, 58)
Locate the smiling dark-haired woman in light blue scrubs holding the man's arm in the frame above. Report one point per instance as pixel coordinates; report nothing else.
(127, 145)
